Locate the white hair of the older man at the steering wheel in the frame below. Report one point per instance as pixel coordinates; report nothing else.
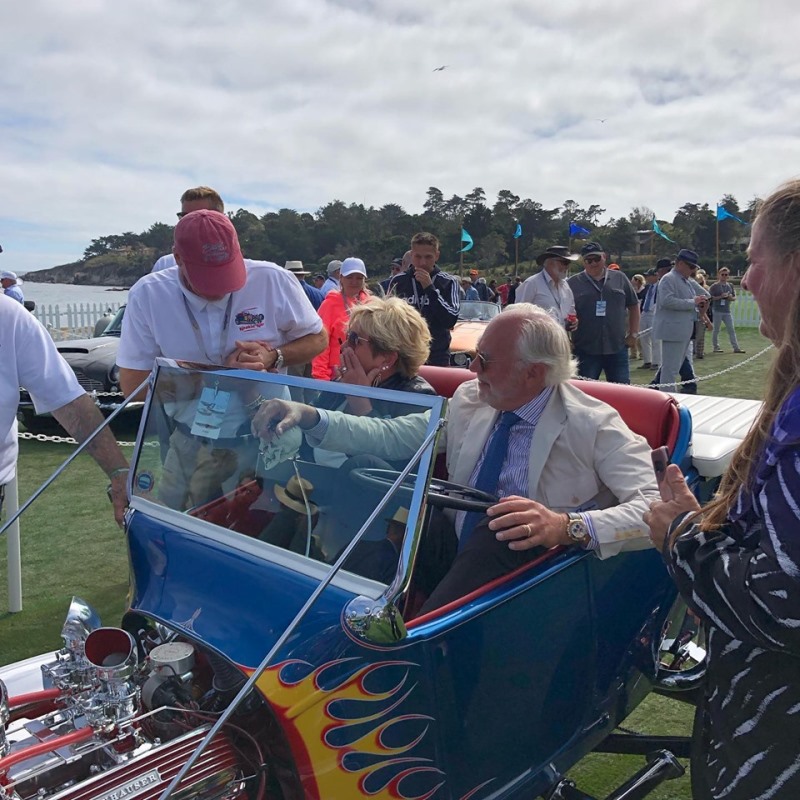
(542, 340)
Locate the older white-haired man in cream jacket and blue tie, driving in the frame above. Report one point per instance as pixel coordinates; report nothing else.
(569, 470)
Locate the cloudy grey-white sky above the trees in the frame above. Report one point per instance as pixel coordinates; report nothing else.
(109, 109)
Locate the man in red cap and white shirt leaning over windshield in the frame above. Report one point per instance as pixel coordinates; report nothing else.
(215, 308)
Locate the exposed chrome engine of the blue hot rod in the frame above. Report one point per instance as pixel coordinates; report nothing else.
(118, 716)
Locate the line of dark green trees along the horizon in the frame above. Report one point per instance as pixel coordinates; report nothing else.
(377, 235)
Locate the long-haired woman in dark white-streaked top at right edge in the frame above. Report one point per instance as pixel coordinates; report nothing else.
(737, 560)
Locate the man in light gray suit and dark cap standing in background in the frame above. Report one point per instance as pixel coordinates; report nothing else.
(679, 299)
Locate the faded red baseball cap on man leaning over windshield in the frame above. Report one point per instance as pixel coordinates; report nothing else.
(208, 247)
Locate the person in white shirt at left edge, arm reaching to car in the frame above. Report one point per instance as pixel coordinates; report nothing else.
(30, 359)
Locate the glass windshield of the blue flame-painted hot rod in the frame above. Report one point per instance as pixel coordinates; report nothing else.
(291, 493)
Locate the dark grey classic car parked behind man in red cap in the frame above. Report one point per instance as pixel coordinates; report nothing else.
(94, 362)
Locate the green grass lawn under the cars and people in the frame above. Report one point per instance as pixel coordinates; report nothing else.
(70, 545)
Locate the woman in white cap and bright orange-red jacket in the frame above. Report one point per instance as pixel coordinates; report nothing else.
(335, 313)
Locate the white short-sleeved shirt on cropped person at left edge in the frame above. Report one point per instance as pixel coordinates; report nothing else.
(28, 358)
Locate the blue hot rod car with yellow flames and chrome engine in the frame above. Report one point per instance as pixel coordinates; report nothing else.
(273, 646)
